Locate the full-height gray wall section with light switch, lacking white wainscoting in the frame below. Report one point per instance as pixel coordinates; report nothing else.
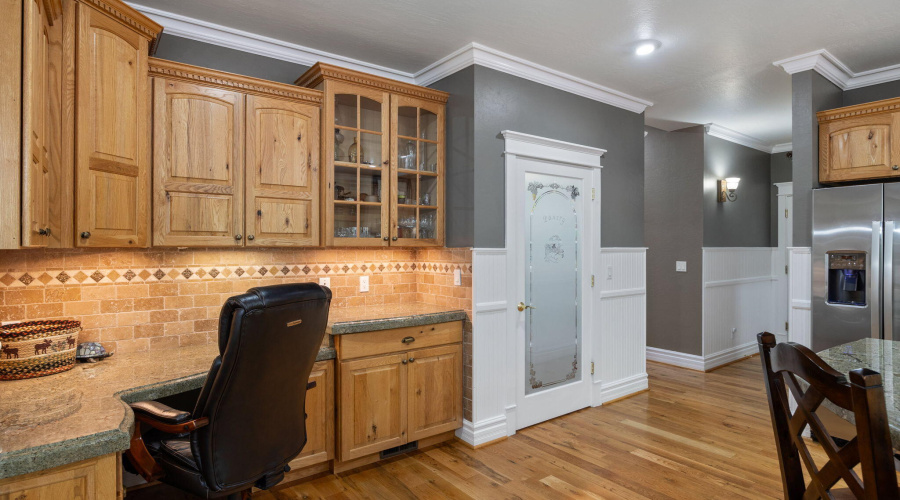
(673, 219)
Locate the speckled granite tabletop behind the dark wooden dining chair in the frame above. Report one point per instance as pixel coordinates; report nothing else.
(882, 356)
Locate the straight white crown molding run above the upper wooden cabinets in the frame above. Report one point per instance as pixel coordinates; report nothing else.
(202, 31)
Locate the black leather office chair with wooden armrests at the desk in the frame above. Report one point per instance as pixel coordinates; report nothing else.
(249, 420)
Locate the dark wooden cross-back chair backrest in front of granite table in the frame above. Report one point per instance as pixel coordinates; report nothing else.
(783, 364)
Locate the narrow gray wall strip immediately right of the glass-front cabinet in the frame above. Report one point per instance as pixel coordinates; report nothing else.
(460, 157)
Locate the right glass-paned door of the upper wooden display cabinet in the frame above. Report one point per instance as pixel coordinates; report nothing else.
(417, 172)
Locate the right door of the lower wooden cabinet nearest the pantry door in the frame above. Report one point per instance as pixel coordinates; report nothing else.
(435, 391)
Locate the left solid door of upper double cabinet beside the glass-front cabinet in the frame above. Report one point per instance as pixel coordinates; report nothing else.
(197, 165)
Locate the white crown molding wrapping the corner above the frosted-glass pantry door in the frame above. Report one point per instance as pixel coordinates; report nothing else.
(475, 53)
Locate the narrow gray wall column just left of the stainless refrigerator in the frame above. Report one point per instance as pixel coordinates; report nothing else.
(811, 93)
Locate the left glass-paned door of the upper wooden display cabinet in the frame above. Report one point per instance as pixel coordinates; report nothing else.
(357, 205)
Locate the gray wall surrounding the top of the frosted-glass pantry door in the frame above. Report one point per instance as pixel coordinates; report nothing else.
(504, 102)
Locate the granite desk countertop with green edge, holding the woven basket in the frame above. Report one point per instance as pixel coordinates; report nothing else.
(83, 413)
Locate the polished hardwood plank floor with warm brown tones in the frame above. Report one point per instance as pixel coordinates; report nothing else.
(693, 435)
